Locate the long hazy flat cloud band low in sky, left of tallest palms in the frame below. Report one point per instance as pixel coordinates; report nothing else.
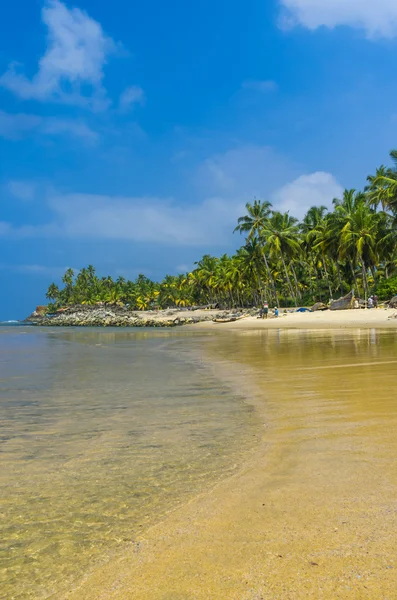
(154, 220)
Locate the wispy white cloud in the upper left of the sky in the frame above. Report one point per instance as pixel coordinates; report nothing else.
(71, 69)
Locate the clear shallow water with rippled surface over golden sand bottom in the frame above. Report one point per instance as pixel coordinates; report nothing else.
(101, 433)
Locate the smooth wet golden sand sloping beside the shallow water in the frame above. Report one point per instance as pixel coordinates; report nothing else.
(313, 511)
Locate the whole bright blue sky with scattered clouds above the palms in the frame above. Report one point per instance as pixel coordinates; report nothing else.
(132, 134)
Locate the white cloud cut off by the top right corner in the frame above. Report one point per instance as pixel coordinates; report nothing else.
(377, 19)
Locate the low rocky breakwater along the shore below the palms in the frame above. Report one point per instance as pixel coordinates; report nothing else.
(120, 316)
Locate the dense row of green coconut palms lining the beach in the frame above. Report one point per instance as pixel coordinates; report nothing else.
(282, 260)
